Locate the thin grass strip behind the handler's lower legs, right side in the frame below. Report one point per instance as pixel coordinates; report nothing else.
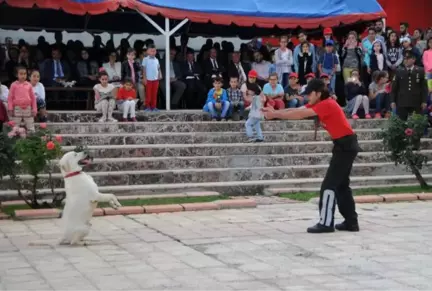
(306, 196)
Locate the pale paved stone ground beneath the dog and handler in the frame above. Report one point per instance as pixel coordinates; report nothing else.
(262, 249)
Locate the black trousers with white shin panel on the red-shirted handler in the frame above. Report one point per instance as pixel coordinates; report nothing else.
(335, 188)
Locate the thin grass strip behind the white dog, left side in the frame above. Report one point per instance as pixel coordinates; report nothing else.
(10, 209)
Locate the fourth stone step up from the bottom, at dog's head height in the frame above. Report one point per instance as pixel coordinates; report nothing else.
(183, 150)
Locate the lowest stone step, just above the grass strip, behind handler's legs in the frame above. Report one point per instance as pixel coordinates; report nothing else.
(237, 187)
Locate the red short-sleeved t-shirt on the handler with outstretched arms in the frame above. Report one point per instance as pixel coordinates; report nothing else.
(332, 118)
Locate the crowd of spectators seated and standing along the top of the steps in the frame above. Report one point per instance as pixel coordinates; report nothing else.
(357, 71)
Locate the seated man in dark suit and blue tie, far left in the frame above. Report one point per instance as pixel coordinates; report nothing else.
(56, 70)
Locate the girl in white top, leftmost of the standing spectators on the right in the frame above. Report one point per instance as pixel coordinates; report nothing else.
(283, 61)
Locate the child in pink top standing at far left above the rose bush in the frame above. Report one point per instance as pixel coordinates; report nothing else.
(22, 101)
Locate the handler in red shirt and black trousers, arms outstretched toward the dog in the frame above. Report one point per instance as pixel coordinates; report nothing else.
(335, 187)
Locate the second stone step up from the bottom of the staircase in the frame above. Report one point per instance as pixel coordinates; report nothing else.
(138, 177)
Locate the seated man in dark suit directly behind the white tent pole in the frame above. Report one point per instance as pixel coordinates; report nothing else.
(177, 85)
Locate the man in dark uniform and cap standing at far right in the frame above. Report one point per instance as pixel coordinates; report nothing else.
(409, 88)
